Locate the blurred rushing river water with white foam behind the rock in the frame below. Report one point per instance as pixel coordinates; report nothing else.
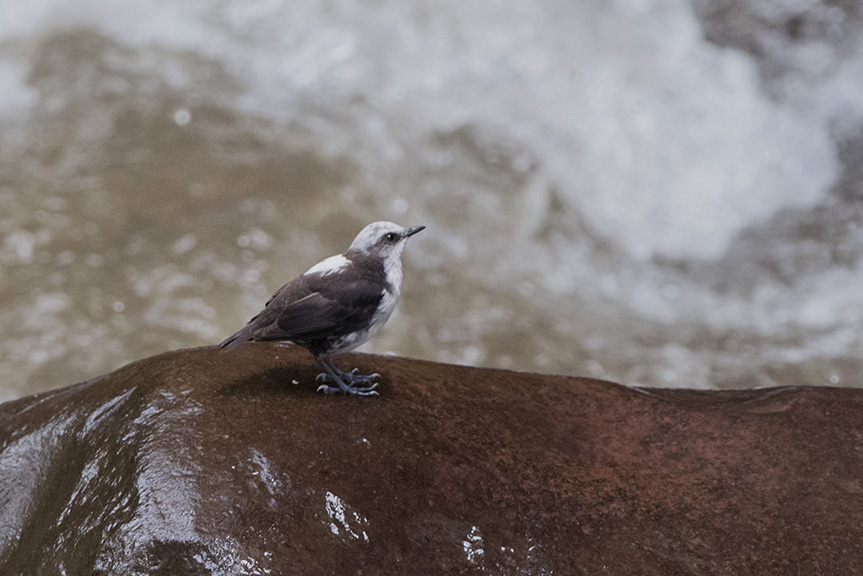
(657, 192)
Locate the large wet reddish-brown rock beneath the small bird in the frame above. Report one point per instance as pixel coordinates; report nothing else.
(201, 463)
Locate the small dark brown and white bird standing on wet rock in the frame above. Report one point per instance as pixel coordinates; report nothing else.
(336, 305)
